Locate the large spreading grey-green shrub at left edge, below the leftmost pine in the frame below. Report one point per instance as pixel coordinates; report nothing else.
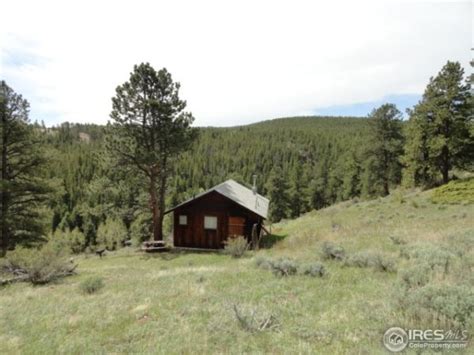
(38, 266)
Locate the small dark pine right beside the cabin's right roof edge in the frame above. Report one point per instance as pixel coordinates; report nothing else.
(277, 188)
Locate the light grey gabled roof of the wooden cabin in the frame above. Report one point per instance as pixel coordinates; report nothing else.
(238, 193)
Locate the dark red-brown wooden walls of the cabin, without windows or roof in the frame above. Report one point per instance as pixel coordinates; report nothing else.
(231, 219)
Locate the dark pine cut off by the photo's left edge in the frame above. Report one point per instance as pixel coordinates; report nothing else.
(21, 189)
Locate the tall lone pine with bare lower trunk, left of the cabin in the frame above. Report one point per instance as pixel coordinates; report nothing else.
(150, 129)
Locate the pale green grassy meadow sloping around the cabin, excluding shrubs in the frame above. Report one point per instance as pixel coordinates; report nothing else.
(183, 302)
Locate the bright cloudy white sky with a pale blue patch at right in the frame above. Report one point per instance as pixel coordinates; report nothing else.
(238, 62)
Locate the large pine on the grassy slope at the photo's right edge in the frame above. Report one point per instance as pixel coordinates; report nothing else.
(438, 134)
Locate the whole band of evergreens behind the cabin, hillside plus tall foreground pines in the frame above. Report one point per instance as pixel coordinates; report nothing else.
(88, 185)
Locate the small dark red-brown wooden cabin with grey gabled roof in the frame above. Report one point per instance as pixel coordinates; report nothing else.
(208, 219)
